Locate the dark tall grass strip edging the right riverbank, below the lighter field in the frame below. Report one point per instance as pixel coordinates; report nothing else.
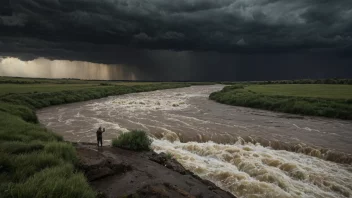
(238, 96)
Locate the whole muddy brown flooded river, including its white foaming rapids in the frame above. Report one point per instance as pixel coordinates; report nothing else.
(249, 152)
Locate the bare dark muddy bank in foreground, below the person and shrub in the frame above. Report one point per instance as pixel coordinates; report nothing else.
(116, 172)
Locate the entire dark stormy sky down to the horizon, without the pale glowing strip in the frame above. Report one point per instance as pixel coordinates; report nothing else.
(186, 39)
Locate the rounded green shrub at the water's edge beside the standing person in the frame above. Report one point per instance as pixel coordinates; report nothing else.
(136, 140)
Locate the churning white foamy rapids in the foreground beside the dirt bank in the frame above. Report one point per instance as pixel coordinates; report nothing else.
(248, 170)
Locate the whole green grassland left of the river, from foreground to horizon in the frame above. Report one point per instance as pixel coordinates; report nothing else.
(34, 162)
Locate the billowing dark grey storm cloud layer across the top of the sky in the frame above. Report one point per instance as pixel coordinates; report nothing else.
(223, 25)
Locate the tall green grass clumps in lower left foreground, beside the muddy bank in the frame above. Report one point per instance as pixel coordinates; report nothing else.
(29, 159)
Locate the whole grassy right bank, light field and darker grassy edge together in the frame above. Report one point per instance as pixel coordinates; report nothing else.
(333, 101)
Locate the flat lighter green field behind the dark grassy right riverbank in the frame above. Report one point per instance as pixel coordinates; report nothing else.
(305, 90)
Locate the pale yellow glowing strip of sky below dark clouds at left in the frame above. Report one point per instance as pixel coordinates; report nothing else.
(45, 68)
